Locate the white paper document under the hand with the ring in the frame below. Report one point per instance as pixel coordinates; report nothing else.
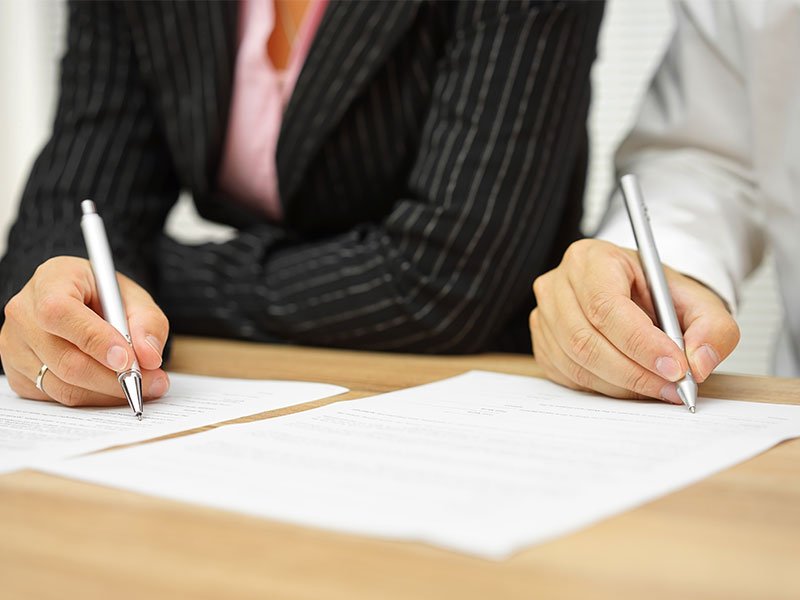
(32, 431)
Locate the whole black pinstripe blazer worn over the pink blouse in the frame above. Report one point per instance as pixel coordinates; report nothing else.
(431, 163)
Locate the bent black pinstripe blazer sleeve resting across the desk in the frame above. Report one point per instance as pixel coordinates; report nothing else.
(455, 257)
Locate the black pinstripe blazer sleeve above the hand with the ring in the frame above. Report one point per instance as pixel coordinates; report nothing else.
(106, 145)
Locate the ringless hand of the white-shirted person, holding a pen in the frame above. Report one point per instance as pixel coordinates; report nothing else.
(594, 327)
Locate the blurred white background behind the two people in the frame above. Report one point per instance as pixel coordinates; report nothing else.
(633, 36)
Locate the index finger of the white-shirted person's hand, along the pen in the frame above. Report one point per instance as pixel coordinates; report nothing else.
(603, 296)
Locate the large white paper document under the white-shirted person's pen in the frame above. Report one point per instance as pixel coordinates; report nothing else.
(481, 463)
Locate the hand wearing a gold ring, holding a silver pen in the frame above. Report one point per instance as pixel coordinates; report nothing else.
(54, 320)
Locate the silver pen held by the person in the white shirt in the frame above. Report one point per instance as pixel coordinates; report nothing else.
(656, 280)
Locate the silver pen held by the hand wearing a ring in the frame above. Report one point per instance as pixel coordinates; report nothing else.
(105, 276)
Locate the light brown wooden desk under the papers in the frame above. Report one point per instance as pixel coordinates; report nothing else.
(734, 535)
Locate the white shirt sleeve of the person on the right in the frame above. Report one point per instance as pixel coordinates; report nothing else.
(693, 149)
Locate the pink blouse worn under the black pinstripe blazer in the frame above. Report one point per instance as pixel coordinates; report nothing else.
(260, 93)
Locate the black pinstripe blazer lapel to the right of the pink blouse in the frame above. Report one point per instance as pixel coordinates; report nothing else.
(351, 44)
